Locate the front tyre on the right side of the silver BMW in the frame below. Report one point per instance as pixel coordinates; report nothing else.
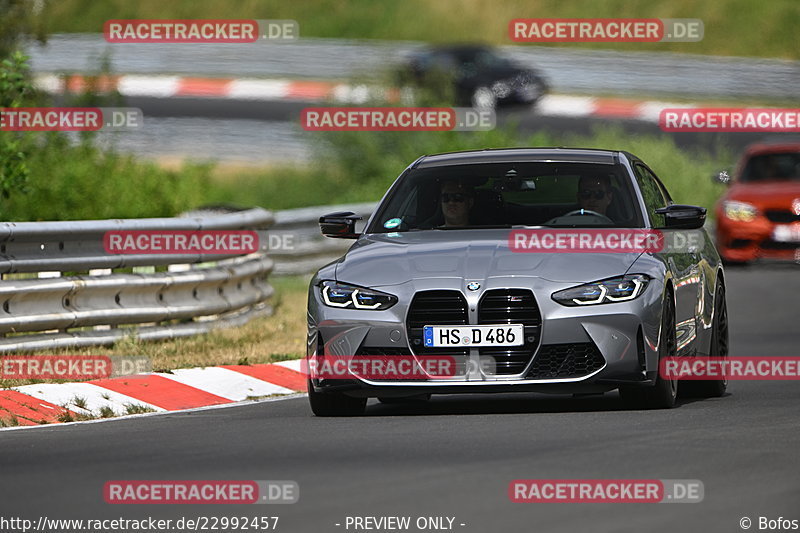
(663, 394)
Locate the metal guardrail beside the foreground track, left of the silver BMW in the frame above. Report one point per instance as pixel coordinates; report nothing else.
(94, 305)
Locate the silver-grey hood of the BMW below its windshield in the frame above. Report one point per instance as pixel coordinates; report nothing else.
(394, 258)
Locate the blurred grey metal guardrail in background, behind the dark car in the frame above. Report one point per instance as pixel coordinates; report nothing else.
(568, 70)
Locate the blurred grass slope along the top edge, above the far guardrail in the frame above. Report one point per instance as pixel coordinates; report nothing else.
(732, 27)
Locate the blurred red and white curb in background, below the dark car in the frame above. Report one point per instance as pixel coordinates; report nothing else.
(315, 91)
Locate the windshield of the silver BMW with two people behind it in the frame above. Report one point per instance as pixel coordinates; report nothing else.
(509, 195)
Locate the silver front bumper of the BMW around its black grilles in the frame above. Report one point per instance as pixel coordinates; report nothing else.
(563, 358)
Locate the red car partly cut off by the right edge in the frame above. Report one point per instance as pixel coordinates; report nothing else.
(759, 216)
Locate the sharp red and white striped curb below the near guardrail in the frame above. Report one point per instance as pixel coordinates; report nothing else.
(179, 390)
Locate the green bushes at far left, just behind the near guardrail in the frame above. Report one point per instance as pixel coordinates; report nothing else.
(44, 176)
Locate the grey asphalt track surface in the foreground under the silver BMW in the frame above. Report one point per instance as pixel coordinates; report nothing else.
(455, 456)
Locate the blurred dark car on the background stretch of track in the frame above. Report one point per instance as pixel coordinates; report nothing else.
(474, 75)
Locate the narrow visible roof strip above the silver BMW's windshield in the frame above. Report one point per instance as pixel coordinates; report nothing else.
(521, 155)
